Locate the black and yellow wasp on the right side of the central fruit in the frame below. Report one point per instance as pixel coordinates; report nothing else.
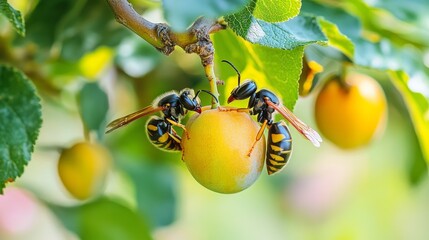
(264, 103)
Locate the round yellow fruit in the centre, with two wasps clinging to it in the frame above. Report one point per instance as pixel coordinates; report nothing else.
(217, 152)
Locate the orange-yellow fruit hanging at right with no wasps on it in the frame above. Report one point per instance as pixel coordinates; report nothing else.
(350, 112)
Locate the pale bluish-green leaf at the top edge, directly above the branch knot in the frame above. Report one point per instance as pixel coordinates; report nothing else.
(180, 14)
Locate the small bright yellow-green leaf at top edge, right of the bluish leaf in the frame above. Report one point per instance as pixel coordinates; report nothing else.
(276, 11)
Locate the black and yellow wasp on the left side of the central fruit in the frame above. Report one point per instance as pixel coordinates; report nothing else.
(173, 106)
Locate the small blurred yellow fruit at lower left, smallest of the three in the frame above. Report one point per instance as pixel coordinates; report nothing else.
(83, 169)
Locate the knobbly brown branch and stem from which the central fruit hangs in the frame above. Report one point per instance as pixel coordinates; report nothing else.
(196, 39)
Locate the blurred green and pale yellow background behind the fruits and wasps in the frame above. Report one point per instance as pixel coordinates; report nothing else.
(380, 191)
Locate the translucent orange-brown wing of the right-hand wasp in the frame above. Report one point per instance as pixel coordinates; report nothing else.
(302, 128)
